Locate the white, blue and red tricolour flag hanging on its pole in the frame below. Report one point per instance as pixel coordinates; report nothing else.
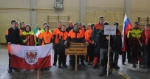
(126, 27)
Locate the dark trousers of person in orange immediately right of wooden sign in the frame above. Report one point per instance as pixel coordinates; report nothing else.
(90, 52)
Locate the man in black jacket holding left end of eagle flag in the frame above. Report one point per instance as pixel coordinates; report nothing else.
(13, 36)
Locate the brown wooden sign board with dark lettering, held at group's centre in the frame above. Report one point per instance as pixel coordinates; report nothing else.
(76, 49)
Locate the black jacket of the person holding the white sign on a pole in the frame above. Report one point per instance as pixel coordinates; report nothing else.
(103, 41)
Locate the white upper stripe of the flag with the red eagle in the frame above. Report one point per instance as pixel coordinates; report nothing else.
(20, 50)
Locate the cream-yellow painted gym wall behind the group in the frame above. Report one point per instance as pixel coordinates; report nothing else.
(112, 10)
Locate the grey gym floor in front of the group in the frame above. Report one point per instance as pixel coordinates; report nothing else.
(84, 72)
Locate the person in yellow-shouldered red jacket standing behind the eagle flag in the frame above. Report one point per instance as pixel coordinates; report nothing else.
(29, 38)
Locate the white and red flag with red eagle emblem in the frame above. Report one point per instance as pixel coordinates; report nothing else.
(31, 57)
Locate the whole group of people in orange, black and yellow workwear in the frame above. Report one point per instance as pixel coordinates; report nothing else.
(93, 35)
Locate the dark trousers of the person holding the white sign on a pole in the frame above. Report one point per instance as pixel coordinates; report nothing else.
(104, 59)
